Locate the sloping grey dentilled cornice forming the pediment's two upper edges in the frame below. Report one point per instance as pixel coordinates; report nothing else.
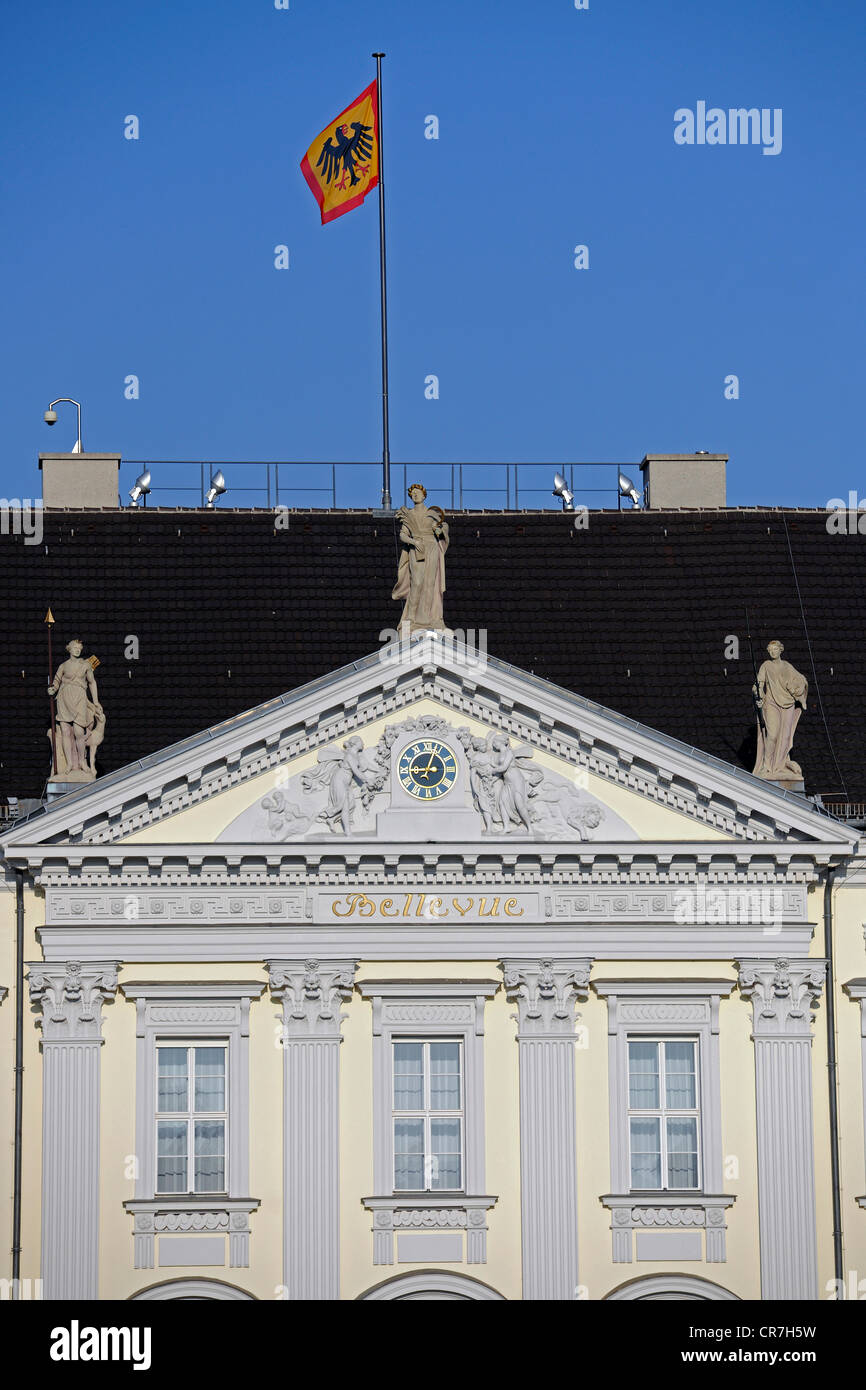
(579, 732)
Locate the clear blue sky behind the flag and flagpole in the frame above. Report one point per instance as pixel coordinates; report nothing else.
(156, 256)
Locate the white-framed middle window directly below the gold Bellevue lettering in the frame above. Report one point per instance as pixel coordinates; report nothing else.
(427, 1117)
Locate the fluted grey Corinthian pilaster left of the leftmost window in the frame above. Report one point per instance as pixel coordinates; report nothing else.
(72, 997)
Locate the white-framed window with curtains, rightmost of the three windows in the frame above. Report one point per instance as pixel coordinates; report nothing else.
(664, 1114)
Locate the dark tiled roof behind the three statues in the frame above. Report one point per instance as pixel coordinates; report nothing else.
(633, 612)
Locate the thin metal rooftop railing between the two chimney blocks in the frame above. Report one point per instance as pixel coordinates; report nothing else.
(457, 487)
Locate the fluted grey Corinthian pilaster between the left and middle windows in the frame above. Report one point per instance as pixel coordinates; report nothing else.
(312, 995)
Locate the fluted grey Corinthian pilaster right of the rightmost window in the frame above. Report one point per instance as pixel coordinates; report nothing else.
(783, 995)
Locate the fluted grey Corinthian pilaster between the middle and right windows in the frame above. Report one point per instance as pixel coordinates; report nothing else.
(546, 993)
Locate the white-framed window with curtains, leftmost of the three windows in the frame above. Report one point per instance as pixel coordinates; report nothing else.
(191, 1117)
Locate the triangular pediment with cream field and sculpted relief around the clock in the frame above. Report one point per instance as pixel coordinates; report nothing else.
(277, 774)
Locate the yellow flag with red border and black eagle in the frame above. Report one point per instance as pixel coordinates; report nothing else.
(343, 165)
